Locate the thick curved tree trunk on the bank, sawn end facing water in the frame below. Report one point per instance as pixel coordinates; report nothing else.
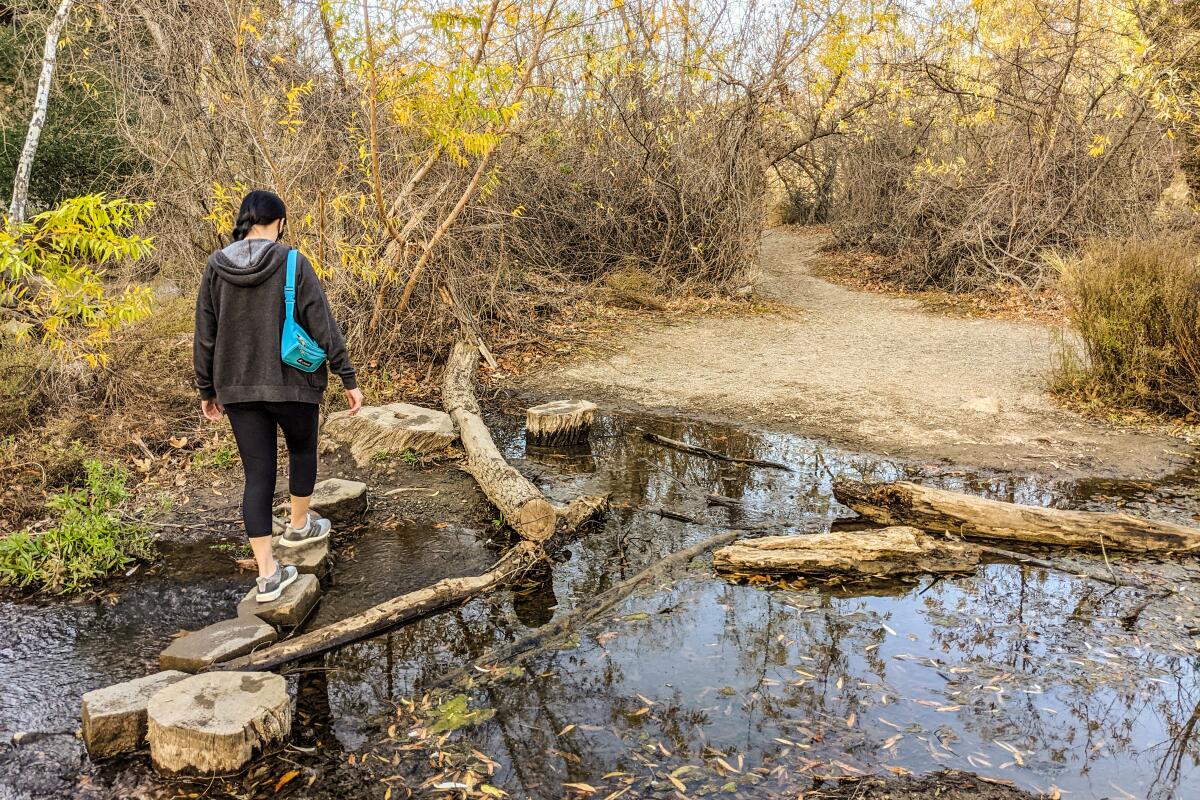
(521, 503)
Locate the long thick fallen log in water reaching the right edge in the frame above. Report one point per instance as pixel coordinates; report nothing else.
(971, 518)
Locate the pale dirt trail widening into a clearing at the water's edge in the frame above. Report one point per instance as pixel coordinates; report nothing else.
(867, 371)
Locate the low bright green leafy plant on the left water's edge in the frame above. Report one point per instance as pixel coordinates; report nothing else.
(89, 540)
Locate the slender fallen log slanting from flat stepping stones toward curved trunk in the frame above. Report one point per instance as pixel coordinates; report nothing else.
(387, 616)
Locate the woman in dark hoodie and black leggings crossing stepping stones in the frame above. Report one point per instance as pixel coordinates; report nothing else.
(239, 320)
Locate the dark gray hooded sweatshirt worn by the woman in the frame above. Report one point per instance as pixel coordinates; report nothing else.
(239, 322)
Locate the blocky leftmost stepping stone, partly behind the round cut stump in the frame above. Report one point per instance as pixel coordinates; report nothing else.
(115, 719)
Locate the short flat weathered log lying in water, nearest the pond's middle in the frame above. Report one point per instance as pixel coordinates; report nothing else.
(889, 552)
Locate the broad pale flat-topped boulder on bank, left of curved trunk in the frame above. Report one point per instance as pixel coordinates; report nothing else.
(389, 430)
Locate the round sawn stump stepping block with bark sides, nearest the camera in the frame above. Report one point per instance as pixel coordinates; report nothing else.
(215, 724)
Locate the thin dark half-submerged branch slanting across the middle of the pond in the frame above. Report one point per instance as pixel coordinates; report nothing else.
(601, 605)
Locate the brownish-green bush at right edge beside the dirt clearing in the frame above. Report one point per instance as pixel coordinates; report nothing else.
(1137, 308)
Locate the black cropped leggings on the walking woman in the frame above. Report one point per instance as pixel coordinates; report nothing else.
(255, 429)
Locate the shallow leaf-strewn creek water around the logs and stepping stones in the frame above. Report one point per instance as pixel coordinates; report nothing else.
(1015, 673)
